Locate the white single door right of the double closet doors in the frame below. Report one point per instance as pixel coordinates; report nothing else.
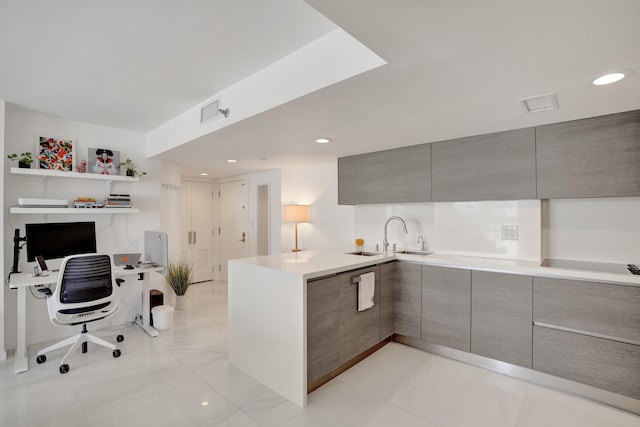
(233, 223)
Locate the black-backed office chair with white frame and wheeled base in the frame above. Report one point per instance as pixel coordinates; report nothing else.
(86, 291)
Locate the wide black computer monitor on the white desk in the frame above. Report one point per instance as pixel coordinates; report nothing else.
(60, 239)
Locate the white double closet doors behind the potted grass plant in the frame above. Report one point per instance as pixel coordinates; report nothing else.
(197, 228)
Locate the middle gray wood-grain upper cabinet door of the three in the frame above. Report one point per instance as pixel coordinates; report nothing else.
(499, 166)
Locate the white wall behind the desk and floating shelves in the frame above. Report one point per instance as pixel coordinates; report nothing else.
(115, 233)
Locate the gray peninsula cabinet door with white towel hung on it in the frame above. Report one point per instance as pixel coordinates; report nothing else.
(359, 330)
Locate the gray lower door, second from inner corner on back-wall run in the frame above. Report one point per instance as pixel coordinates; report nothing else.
(446, 307)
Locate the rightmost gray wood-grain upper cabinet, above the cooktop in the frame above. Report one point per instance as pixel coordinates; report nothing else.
(596, 157)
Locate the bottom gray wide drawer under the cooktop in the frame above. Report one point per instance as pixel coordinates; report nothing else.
(602, 363)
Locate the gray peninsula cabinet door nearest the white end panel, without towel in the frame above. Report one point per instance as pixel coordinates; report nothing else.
(323, 343)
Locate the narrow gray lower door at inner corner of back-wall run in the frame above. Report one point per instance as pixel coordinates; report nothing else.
(408, 299)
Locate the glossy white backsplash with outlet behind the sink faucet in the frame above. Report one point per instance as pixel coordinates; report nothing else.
(468, 228)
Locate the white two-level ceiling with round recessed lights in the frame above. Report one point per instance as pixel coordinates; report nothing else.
(454, 68)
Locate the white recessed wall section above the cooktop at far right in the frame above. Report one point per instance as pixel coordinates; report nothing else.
(605, 230)
